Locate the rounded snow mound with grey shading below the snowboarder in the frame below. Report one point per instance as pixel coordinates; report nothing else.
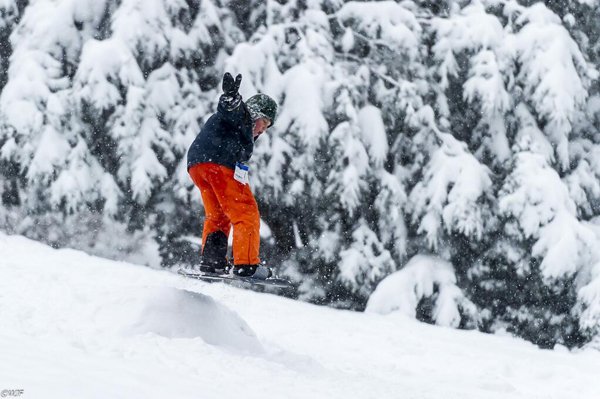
(175, 313)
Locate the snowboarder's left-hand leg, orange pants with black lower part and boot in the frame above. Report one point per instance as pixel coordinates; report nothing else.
(216, 224)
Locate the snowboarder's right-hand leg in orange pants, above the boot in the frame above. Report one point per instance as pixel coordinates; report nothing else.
(239, 205)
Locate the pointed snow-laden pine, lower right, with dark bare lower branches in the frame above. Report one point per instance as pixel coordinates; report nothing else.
(529, 274)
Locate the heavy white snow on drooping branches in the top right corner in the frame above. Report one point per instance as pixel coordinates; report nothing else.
(553, 72)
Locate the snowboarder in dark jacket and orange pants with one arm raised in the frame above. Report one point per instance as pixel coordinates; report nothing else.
(216, 164)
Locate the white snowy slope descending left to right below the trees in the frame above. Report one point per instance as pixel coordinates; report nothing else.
(75, 326)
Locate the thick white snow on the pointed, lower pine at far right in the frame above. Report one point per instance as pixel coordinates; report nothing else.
(538, 200)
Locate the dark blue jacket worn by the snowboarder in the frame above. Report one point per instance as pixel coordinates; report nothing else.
(226, 137)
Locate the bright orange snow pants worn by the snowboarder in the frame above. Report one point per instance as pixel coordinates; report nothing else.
(227, 202)
